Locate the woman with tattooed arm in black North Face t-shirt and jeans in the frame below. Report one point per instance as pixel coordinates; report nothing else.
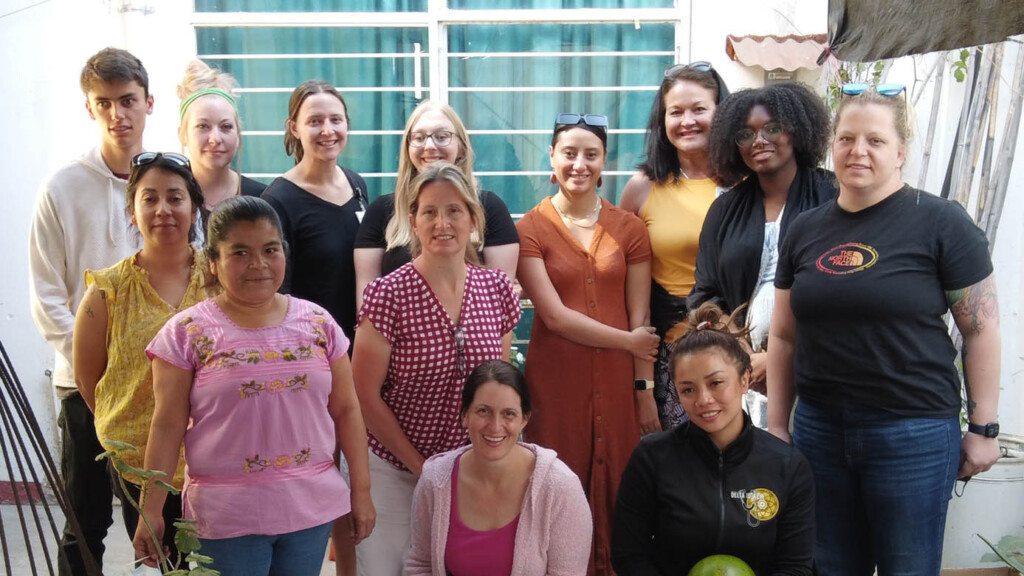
(860, 336)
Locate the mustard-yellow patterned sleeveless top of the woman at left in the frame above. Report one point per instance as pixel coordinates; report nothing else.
(135, 314)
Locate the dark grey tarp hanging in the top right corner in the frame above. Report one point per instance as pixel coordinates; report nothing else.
(873, 30)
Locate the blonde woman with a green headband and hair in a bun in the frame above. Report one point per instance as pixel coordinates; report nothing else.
(211, 136)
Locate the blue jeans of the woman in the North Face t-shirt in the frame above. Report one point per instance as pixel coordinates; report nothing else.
(883, 485)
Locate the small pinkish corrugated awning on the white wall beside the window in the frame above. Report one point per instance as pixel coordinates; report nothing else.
(773, 53)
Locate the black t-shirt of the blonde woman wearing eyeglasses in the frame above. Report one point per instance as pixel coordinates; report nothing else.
(499, 231)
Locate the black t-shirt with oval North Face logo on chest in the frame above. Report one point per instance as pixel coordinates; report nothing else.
(869, 293)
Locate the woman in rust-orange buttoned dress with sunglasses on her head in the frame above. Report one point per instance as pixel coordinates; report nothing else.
(586, 266)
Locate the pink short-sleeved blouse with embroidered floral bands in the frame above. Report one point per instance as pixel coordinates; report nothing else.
(260, 449)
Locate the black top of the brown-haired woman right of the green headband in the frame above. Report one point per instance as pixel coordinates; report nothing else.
(321, 236)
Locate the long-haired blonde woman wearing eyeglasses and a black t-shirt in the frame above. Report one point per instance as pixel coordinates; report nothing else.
(434, 134)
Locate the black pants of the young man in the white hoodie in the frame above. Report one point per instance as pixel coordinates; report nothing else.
(88, 485)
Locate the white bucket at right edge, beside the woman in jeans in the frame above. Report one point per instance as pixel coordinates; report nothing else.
(993, 506)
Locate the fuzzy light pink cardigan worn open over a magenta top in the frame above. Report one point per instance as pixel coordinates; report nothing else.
(556, 524)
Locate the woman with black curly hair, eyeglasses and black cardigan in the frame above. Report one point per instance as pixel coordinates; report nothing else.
(771, 141)
